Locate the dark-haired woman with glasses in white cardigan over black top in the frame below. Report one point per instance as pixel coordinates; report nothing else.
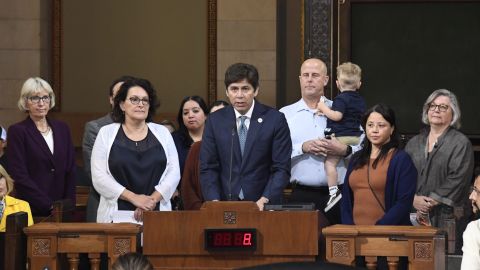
(134, 161)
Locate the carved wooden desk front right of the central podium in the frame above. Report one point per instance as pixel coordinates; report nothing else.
(424, 246)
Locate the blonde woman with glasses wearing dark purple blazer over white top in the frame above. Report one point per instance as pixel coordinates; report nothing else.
(40, 154)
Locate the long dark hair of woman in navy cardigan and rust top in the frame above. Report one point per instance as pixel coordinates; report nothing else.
(362, 157)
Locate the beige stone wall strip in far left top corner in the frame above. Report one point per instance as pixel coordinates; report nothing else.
(24, 45)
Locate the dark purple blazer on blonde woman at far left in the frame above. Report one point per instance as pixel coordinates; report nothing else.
(40, 176)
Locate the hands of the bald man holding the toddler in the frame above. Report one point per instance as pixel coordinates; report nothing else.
(324, 147)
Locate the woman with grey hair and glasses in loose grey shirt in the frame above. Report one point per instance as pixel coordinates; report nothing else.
(444, 160)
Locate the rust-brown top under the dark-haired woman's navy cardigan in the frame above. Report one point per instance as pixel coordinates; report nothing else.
(366, 209)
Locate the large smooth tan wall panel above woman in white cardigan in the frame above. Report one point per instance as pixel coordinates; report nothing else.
(163, 41)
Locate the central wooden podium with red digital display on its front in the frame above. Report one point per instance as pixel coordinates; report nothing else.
(180, 239)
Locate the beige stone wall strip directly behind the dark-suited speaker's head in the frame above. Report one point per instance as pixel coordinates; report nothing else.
(246, 32)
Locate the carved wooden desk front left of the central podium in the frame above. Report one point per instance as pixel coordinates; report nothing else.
(46, 240)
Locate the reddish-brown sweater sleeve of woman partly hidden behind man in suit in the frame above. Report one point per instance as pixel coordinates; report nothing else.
(190, 189)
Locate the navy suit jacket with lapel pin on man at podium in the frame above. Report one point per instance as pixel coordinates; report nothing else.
(264, 169)
